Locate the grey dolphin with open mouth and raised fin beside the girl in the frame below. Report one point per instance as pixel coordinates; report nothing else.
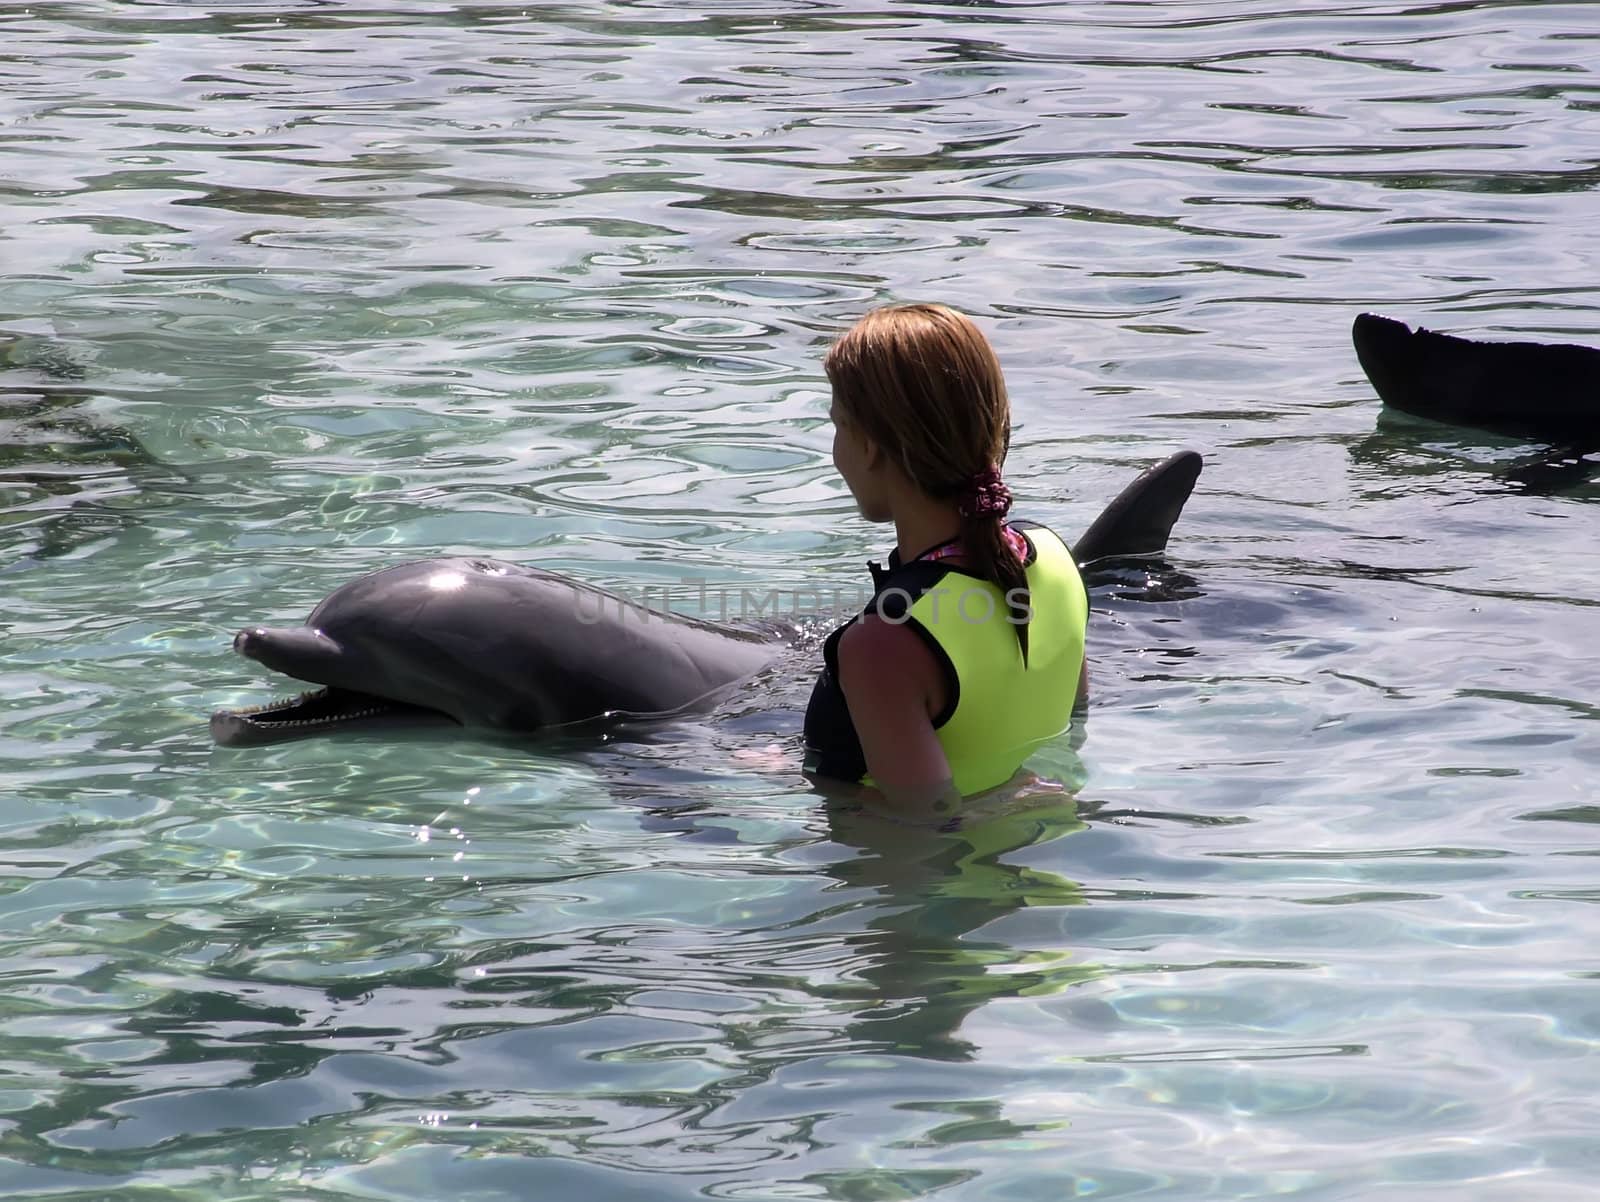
(506, 647)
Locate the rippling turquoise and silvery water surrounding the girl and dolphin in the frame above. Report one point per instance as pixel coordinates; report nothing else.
(298, 290)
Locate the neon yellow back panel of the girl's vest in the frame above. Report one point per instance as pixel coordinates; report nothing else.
(1004, 708)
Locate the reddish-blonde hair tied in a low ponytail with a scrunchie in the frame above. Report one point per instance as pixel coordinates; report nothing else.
(924, 383)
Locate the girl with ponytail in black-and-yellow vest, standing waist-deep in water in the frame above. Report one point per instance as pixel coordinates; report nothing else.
(970, 652)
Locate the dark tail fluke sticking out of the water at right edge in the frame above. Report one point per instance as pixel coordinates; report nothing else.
(1546, 390)
